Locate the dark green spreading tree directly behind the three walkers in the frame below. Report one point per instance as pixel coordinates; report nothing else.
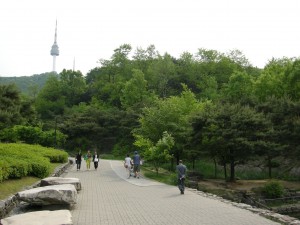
(98, 126)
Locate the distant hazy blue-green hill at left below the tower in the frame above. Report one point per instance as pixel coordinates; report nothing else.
(27, 84)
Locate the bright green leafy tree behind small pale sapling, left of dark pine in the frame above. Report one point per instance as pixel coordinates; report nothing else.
(171, 115)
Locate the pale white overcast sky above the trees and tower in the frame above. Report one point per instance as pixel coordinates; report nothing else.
(90, 30)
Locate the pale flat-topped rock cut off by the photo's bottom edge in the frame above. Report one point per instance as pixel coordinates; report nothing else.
(58, 217)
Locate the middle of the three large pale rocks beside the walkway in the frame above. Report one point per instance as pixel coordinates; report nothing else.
(49, 195)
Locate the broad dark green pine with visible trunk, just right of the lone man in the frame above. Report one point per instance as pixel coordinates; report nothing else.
(234, 129)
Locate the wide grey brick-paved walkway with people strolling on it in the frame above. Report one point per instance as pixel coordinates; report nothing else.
(108, 197)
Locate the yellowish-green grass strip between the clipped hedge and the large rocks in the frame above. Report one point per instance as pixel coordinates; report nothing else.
(12, 186)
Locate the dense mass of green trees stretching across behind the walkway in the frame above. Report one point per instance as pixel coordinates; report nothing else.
(209, 105)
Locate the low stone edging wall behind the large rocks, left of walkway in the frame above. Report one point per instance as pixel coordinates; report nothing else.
(7, 205)
